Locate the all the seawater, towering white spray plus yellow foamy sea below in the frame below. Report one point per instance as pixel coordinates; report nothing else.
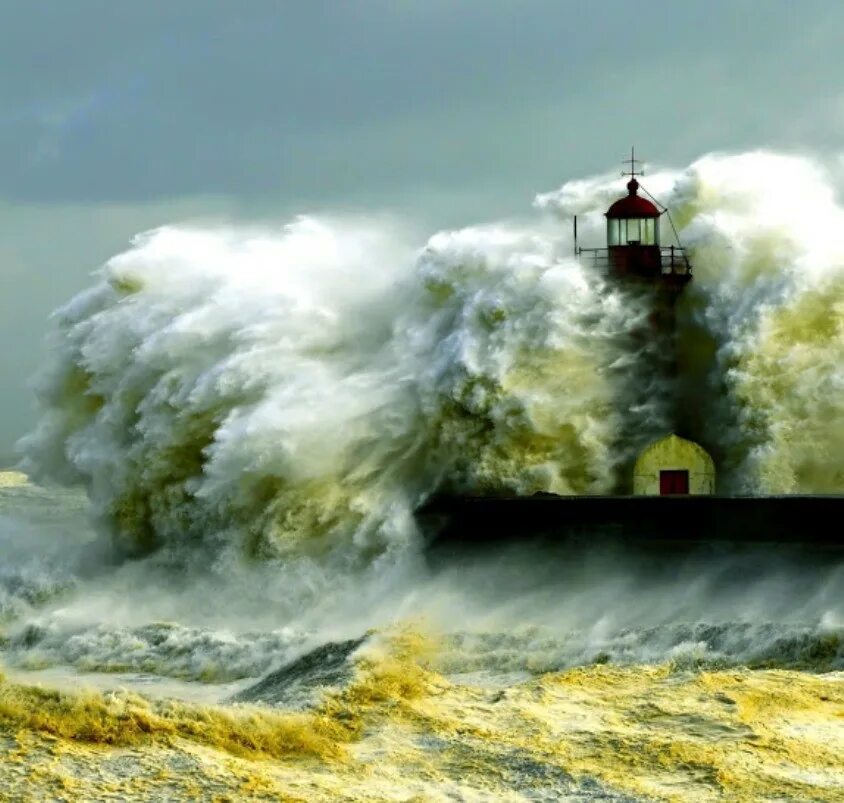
(213, 586)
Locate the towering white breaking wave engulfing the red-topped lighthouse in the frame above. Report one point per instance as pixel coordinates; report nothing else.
(299, 392)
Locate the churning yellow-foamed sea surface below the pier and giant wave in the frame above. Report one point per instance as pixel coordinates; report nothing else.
(514, 675)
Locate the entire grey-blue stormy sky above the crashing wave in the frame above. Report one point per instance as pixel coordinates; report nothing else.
(119, 116)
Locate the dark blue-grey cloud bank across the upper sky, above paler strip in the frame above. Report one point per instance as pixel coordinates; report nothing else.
(132, 101)
